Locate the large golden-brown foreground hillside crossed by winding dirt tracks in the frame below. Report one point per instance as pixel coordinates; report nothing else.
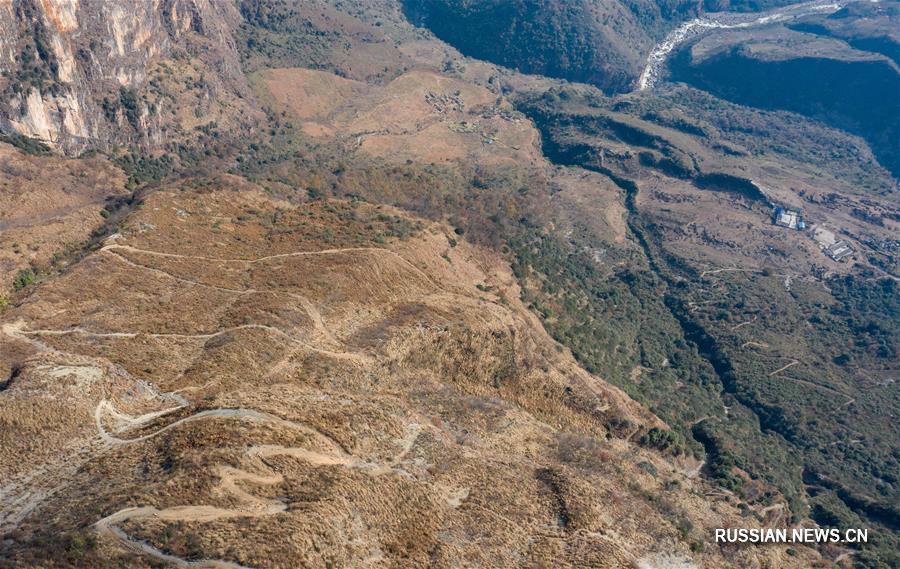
(334, 401)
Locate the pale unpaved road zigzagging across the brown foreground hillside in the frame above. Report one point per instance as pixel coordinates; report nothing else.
(23, 496)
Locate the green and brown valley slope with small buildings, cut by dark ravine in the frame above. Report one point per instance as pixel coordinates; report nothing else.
(802, 348)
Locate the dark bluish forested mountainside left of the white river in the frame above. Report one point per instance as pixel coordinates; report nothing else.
(592, 41)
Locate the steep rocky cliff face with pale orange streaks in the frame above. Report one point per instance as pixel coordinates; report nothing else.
(86, 73)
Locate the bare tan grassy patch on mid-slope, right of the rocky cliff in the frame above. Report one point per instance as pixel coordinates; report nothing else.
(421, 115)
